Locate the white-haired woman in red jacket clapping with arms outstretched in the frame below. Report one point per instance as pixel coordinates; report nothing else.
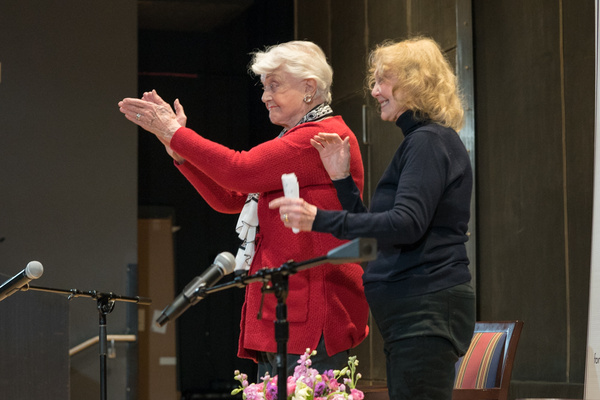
(327, 309)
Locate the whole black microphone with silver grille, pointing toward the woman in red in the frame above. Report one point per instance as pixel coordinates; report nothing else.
(224, 264)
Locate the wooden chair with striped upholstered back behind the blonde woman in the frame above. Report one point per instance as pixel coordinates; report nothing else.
(484, 372)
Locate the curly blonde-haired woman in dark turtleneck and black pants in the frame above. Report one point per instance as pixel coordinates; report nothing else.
(419, 287)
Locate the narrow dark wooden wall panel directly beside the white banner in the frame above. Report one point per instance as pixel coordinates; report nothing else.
(578, 49)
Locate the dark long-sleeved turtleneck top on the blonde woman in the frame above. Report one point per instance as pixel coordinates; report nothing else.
(419, 213)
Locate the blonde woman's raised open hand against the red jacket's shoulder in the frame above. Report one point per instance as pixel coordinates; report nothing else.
(335, 154)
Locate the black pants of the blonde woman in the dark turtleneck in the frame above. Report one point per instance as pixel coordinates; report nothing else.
(423, 338)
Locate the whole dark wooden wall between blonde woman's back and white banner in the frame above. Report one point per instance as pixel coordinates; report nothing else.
(535, 105)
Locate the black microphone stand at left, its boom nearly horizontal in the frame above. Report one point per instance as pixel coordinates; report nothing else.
(105, 304)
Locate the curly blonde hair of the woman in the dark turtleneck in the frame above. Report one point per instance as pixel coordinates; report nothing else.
(425, 77)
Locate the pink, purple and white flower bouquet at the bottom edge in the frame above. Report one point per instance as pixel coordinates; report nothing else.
(306, 383)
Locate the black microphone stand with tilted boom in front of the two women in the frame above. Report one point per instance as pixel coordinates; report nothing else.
(358, 250)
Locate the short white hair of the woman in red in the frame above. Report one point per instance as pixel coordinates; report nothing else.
(302, 59)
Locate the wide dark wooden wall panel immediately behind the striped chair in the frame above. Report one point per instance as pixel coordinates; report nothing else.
(520, 197)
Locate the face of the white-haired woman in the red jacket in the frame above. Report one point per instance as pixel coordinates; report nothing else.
(283, 95)
